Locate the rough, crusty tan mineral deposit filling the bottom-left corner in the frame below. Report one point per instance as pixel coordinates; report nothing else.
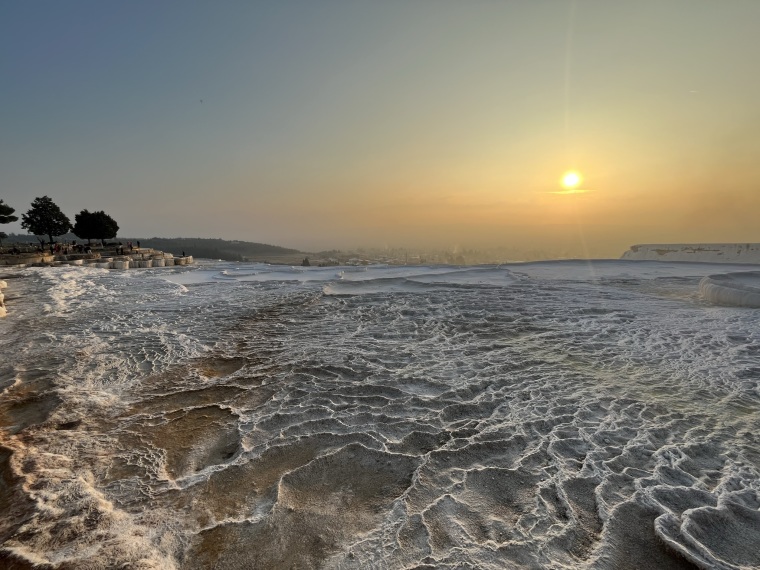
(56, 518)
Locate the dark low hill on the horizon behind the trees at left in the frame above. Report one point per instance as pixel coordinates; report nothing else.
(197, 247)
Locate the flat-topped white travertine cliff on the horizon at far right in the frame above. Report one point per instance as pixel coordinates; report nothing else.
(701, 252)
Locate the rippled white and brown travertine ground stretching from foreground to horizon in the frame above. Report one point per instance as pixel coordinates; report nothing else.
(547, 415)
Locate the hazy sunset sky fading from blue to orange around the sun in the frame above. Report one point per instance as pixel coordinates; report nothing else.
(343, 123)
